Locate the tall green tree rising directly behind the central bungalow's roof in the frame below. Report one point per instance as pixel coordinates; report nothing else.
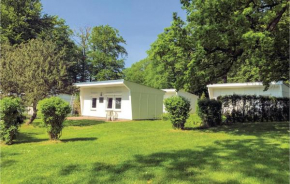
(106, 53)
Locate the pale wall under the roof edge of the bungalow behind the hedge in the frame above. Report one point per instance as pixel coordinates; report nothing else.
(273, 90)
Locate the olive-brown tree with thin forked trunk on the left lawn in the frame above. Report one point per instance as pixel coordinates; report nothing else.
(36, 69)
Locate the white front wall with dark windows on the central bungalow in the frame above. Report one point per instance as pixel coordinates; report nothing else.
(87, 94)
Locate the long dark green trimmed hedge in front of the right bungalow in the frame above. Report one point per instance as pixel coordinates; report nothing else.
(252, 108)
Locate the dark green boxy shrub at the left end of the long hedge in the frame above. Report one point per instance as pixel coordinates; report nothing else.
(210, 112)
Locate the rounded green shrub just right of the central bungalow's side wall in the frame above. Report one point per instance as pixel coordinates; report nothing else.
(178, 109)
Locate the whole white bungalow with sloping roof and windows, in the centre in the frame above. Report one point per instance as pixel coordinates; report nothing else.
(120, 99)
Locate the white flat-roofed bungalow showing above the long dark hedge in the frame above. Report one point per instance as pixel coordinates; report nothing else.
(276, 89)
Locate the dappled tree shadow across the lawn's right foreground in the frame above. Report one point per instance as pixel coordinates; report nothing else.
(228, 161)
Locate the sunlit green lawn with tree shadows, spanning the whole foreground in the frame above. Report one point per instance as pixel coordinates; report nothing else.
(149, 152)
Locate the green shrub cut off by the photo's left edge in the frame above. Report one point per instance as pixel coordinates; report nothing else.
(11, 117)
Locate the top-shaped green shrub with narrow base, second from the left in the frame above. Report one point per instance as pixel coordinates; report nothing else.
(53, 112)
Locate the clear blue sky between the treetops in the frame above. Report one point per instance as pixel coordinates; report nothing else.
(139, 21)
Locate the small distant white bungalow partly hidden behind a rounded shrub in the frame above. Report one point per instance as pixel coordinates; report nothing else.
(191, 97)
